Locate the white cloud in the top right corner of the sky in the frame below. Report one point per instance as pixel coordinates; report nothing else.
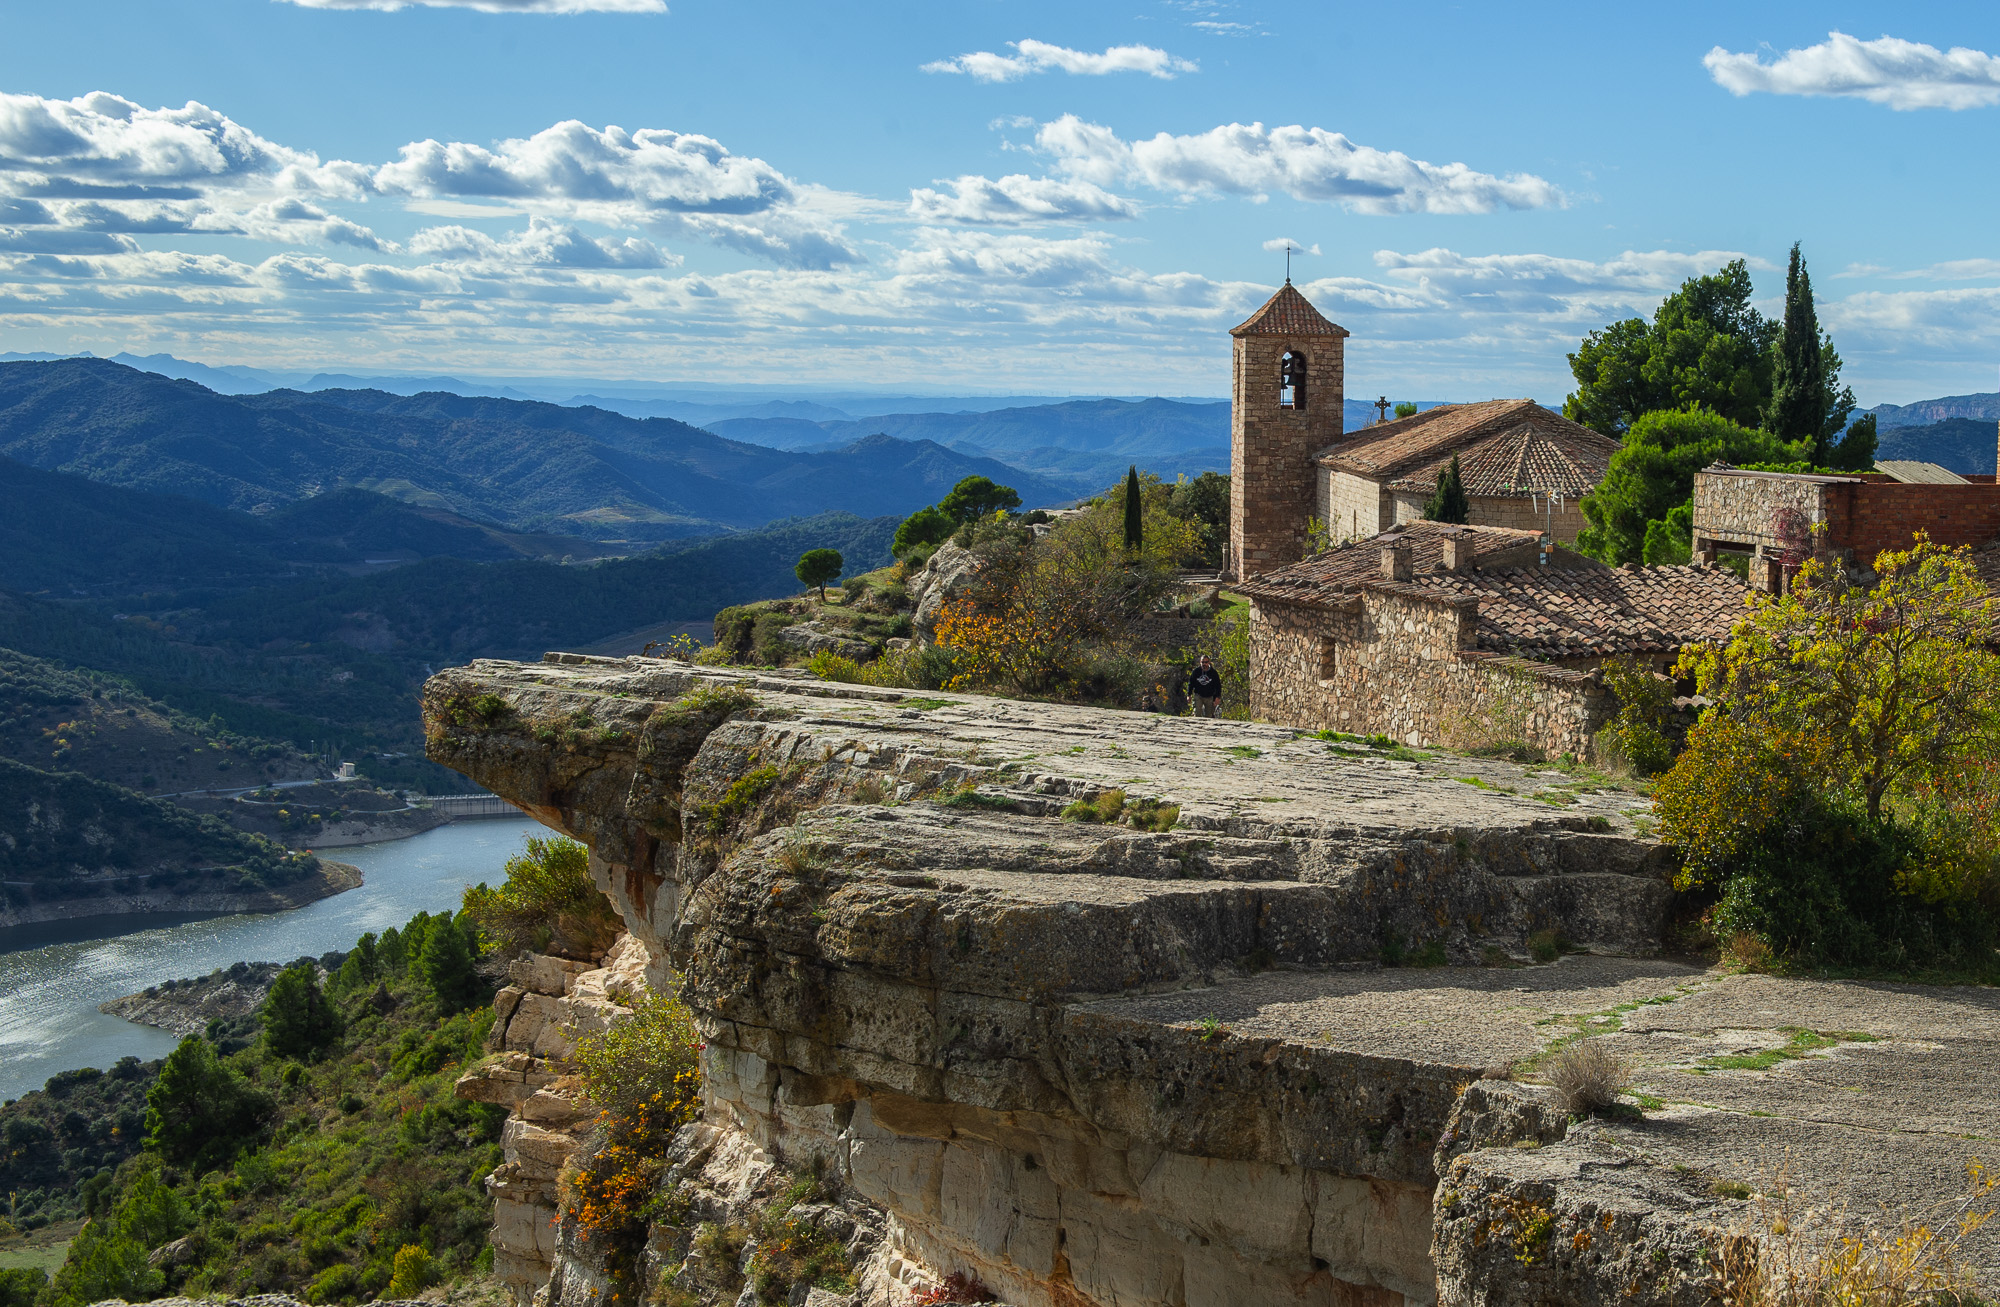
(1903, 75)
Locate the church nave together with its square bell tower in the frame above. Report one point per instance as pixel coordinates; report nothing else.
(1291, 461)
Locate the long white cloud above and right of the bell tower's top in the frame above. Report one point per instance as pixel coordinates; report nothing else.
(1303, 163)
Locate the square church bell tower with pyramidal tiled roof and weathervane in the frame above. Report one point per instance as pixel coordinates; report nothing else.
(1287, 397)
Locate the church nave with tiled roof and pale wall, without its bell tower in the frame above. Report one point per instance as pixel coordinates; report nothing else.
(1523, 467)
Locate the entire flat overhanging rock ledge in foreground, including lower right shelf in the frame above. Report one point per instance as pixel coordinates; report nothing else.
(1161, 1060)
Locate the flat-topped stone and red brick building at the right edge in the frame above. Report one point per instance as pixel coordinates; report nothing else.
(1781, 521)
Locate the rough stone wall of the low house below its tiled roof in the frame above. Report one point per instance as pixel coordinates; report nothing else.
(1397, 660)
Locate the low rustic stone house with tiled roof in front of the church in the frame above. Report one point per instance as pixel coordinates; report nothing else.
(1467, 635)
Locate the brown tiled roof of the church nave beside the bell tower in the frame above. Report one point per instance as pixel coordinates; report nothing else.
(1503, 447)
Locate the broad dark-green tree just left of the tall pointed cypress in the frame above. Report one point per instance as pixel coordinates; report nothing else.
(1705, 347)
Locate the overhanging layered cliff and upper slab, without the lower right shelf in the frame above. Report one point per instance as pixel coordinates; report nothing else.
(1019, 1036)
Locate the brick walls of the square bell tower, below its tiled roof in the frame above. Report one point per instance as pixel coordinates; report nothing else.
(1273, 477)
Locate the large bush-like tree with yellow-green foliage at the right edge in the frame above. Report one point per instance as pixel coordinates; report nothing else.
(1839, 794)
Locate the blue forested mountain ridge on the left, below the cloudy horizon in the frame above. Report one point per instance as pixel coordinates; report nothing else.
(525, 467)
